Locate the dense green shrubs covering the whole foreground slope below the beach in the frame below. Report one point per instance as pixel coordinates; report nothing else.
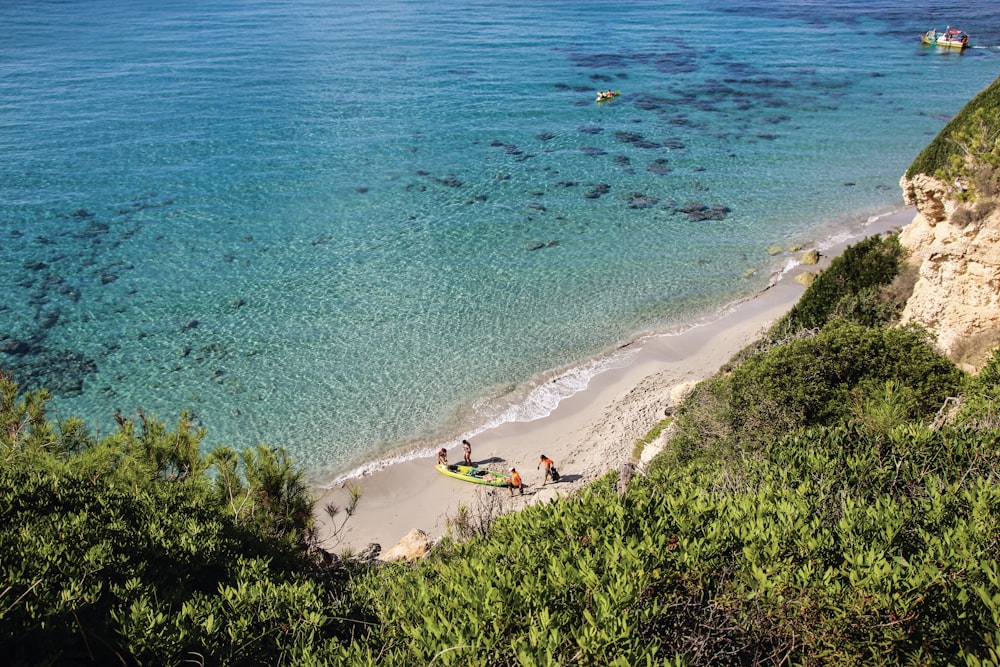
(814, 506)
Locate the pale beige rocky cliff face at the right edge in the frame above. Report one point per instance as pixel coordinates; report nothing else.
(956, 248)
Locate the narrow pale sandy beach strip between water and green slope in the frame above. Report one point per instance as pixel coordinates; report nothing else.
(588, 434)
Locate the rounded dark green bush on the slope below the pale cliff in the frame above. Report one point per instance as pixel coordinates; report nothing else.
(812, 381)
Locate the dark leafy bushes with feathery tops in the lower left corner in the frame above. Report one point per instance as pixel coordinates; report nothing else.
(126, 551)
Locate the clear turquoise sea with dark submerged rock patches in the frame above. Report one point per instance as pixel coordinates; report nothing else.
(357, 230)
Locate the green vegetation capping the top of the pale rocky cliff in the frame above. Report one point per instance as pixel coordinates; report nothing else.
(967, 150)
